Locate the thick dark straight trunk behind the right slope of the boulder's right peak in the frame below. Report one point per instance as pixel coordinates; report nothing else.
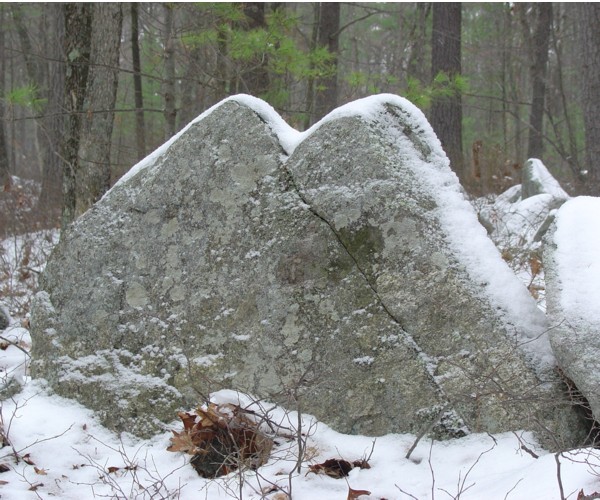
(446, 112)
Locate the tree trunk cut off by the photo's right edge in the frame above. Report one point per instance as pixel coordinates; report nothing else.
(589, 20)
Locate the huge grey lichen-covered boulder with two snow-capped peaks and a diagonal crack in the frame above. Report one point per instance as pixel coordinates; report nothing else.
(339, 271)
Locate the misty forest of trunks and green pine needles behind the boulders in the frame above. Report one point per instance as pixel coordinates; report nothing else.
(87, 90)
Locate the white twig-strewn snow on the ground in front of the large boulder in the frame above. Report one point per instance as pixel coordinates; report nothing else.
(64, 453)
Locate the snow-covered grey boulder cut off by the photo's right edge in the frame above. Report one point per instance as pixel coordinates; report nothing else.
(573, 292)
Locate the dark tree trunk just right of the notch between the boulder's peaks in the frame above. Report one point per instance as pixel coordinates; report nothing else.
(326, 95)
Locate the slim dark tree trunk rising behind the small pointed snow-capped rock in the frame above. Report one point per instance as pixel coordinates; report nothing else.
(540, 44)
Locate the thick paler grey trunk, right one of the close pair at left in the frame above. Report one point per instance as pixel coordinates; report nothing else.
(101, 92)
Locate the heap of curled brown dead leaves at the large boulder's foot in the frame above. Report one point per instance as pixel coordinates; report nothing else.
(220, 439)
